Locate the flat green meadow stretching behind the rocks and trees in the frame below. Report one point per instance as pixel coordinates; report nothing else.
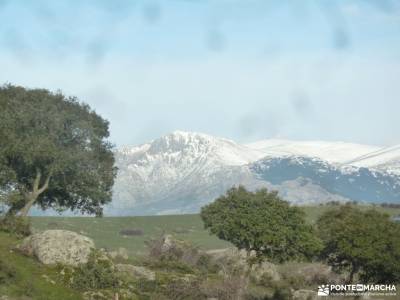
(106, 231)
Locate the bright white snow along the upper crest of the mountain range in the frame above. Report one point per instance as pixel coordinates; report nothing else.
(193, 145)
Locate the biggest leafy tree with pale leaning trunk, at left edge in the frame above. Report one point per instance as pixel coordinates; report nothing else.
(53, 153)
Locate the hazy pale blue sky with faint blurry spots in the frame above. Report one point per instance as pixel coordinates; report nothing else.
(245, 70)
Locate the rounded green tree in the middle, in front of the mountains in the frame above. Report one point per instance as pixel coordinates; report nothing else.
(262, 222)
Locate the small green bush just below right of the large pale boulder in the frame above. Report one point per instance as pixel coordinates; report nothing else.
(97, 273)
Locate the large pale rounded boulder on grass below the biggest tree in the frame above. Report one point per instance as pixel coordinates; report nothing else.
(58, 247)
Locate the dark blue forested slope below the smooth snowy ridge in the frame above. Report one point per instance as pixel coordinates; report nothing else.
(359, 184)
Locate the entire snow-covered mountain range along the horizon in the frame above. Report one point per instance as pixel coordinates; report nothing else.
(182, 171)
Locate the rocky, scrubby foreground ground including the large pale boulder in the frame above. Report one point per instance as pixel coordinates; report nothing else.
(173, 269)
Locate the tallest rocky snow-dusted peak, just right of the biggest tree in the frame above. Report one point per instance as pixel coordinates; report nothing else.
(183, 168)
